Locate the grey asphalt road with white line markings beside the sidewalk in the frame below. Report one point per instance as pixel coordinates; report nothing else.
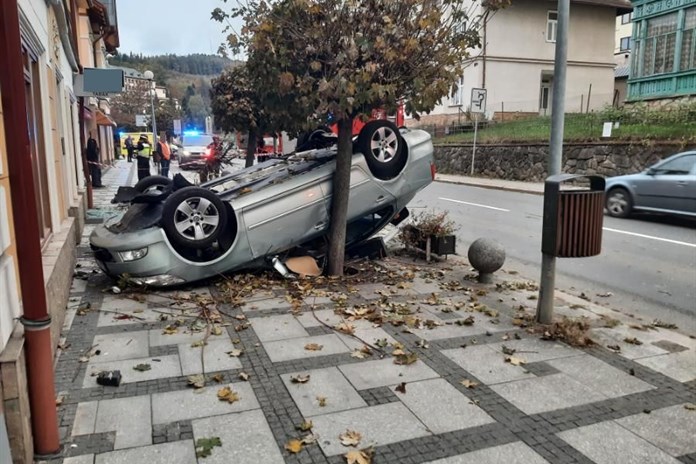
(648, 263)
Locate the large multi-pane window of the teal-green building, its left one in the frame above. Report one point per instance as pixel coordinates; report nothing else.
(660, 43)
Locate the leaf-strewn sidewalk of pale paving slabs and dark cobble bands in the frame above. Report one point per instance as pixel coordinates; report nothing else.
(564, 405)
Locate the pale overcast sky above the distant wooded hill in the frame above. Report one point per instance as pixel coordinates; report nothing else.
(155, 27)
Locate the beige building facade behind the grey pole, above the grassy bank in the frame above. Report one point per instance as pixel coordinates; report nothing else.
(516, 62)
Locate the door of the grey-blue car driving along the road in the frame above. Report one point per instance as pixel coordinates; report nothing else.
(670, 185)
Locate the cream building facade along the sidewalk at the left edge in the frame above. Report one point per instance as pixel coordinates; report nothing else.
(56, 39)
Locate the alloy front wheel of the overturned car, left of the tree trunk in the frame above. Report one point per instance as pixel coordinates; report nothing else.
(194, 217)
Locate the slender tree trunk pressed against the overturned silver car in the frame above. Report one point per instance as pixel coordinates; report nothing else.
(339, 198)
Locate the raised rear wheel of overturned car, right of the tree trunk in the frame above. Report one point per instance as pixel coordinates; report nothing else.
(383, 148)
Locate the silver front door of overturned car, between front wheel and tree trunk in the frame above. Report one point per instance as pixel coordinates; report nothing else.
(291, 213)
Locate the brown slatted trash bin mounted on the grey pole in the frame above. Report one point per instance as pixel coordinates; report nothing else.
(573, 218)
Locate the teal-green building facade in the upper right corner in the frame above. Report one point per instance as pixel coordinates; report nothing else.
(663, 63)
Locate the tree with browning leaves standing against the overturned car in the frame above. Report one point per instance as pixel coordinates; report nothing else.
(346, 57)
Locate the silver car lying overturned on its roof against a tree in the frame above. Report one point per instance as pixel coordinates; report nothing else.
(174, 232)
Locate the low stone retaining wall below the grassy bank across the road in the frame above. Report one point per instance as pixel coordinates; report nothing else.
(527, 162)
